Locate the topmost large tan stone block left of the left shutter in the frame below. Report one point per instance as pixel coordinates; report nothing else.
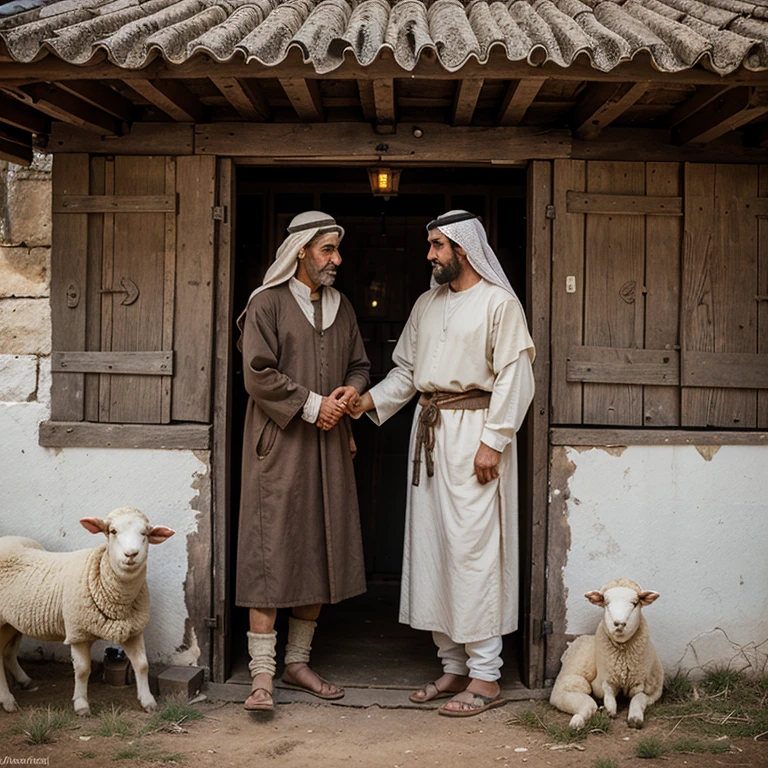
(28, 211)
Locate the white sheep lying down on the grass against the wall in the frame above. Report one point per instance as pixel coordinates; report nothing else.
(618, 659)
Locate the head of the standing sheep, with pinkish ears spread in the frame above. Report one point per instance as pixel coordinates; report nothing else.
(129, 535)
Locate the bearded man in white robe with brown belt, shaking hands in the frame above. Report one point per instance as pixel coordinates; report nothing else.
(467, 349)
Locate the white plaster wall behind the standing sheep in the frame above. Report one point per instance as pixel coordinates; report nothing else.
(45, 491)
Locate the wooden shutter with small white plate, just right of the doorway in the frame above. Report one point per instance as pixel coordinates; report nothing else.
(615, 293)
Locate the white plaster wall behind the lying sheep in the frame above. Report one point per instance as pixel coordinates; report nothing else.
(691, 524)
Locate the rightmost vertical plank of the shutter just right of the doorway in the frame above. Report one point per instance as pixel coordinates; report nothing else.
(663, 255)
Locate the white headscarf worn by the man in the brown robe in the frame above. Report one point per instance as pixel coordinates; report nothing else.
(302, 230)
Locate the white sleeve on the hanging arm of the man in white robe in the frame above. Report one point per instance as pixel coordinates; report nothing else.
(513, 386)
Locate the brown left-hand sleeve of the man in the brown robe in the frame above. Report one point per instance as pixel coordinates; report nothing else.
(276, 394)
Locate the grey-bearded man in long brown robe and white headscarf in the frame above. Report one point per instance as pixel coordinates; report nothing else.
(299, 543)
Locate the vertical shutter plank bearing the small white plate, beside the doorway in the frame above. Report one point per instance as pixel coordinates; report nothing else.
(567, 307)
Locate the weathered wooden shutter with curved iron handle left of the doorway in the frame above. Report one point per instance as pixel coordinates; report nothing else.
(132, 291)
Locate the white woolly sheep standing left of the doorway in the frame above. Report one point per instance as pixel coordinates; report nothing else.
(79, 597)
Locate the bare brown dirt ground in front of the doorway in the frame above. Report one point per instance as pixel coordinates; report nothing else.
(302, 736)
